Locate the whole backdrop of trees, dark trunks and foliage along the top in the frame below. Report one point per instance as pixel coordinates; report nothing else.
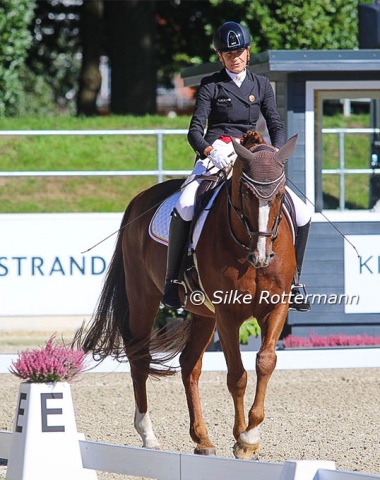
(157, 37)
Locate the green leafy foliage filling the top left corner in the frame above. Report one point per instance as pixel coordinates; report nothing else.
(15, 39)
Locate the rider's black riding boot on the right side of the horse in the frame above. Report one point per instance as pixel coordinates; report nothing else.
(298, 300)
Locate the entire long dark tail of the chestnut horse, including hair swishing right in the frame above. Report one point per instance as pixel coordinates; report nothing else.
(109, 333)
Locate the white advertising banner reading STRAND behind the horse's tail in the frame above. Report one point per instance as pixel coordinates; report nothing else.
(42, 268)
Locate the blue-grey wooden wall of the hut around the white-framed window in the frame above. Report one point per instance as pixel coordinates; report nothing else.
(323, 271)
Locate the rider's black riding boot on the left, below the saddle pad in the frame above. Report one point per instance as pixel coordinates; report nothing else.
(178, 237)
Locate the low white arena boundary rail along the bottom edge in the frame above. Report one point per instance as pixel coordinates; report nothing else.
(165, 465)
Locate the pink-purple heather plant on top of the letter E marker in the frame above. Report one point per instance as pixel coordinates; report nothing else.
(51, 363)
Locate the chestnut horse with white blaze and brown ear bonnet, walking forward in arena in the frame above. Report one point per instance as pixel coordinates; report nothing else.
(245, 251)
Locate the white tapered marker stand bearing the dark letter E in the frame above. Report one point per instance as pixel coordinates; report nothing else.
(46, 435)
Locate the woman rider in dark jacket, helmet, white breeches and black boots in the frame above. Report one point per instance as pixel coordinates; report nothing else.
(228, 103)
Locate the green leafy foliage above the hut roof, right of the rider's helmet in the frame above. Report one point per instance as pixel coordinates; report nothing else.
(284, 25)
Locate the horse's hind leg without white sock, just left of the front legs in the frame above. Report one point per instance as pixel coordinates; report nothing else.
(202, 330)
